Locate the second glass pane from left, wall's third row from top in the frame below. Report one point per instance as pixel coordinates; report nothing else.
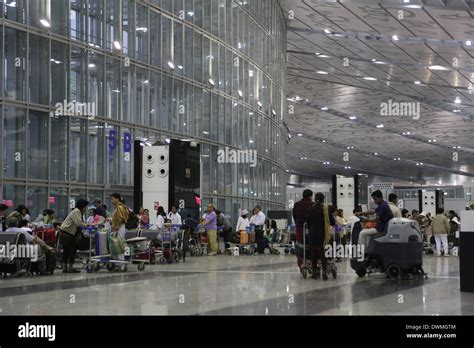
(38, 145)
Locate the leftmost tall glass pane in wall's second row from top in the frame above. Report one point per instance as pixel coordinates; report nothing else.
(15, 64)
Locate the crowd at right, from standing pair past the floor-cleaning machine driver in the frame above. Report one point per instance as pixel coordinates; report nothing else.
(324, 221)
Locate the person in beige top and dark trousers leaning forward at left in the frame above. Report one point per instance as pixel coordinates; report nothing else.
(70, 234)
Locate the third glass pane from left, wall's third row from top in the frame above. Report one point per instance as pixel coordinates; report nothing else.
(59, 148)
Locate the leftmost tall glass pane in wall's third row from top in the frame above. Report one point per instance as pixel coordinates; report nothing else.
(14, 143)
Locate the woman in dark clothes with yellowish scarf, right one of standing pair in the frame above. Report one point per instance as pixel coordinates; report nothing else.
(319, 221)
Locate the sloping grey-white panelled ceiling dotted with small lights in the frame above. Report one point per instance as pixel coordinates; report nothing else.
(434, 33)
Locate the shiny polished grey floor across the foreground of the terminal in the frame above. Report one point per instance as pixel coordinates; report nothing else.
(243, 285)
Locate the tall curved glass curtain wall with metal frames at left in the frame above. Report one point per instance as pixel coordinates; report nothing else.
(84, 78)
